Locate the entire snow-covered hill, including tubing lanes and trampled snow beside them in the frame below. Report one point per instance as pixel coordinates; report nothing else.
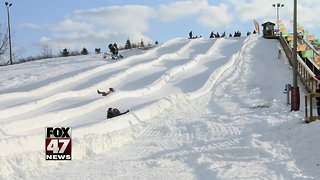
(199, 109)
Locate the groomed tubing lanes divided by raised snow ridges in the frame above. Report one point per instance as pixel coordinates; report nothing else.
(146, 83)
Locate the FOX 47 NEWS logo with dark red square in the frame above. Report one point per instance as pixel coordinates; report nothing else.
(58, 143)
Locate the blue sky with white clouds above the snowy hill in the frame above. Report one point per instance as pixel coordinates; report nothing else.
(70, 24)
